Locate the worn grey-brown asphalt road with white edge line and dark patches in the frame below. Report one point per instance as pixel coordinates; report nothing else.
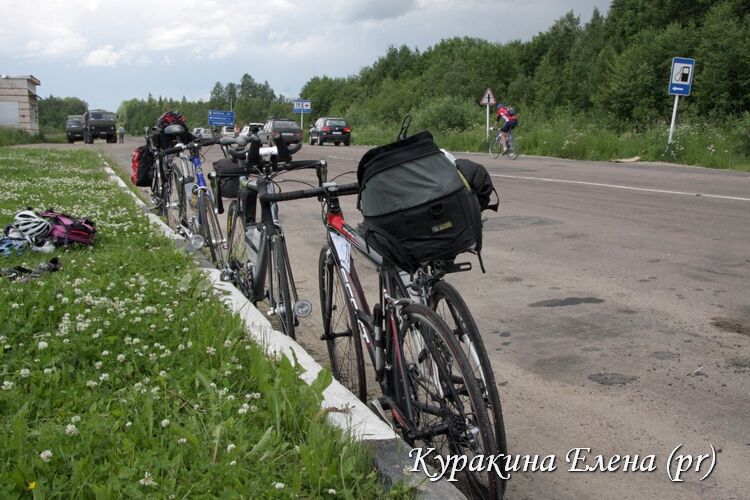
(616, 311)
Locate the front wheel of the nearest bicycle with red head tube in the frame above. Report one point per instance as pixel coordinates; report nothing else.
(340, 328)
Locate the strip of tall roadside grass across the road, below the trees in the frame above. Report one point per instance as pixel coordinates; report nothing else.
(725, 146)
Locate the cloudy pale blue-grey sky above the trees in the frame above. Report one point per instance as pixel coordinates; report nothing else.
(106, 51)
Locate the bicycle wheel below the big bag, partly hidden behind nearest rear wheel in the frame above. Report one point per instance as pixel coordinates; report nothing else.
(445, 300)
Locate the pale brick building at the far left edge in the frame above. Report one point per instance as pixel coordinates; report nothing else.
(18, 102)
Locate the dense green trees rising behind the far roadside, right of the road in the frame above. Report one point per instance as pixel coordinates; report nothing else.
(613, 69)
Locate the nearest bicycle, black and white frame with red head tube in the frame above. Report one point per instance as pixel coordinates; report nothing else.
(425, 379)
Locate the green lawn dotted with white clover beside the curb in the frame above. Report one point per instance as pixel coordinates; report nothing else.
(123, 375)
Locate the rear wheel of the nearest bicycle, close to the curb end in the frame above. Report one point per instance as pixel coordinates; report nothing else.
(449, 412)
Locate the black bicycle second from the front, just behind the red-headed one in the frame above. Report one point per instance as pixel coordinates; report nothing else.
(257, 257)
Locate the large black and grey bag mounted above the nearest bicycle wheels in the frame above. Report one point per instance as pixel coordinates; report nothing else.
(416, 207)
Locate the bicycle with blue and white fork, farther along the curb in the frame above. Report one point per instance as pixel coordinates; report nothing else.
(188, 203)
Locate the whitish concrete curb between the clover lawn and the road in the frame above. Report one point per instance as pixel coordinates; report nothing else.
(344, 409)
